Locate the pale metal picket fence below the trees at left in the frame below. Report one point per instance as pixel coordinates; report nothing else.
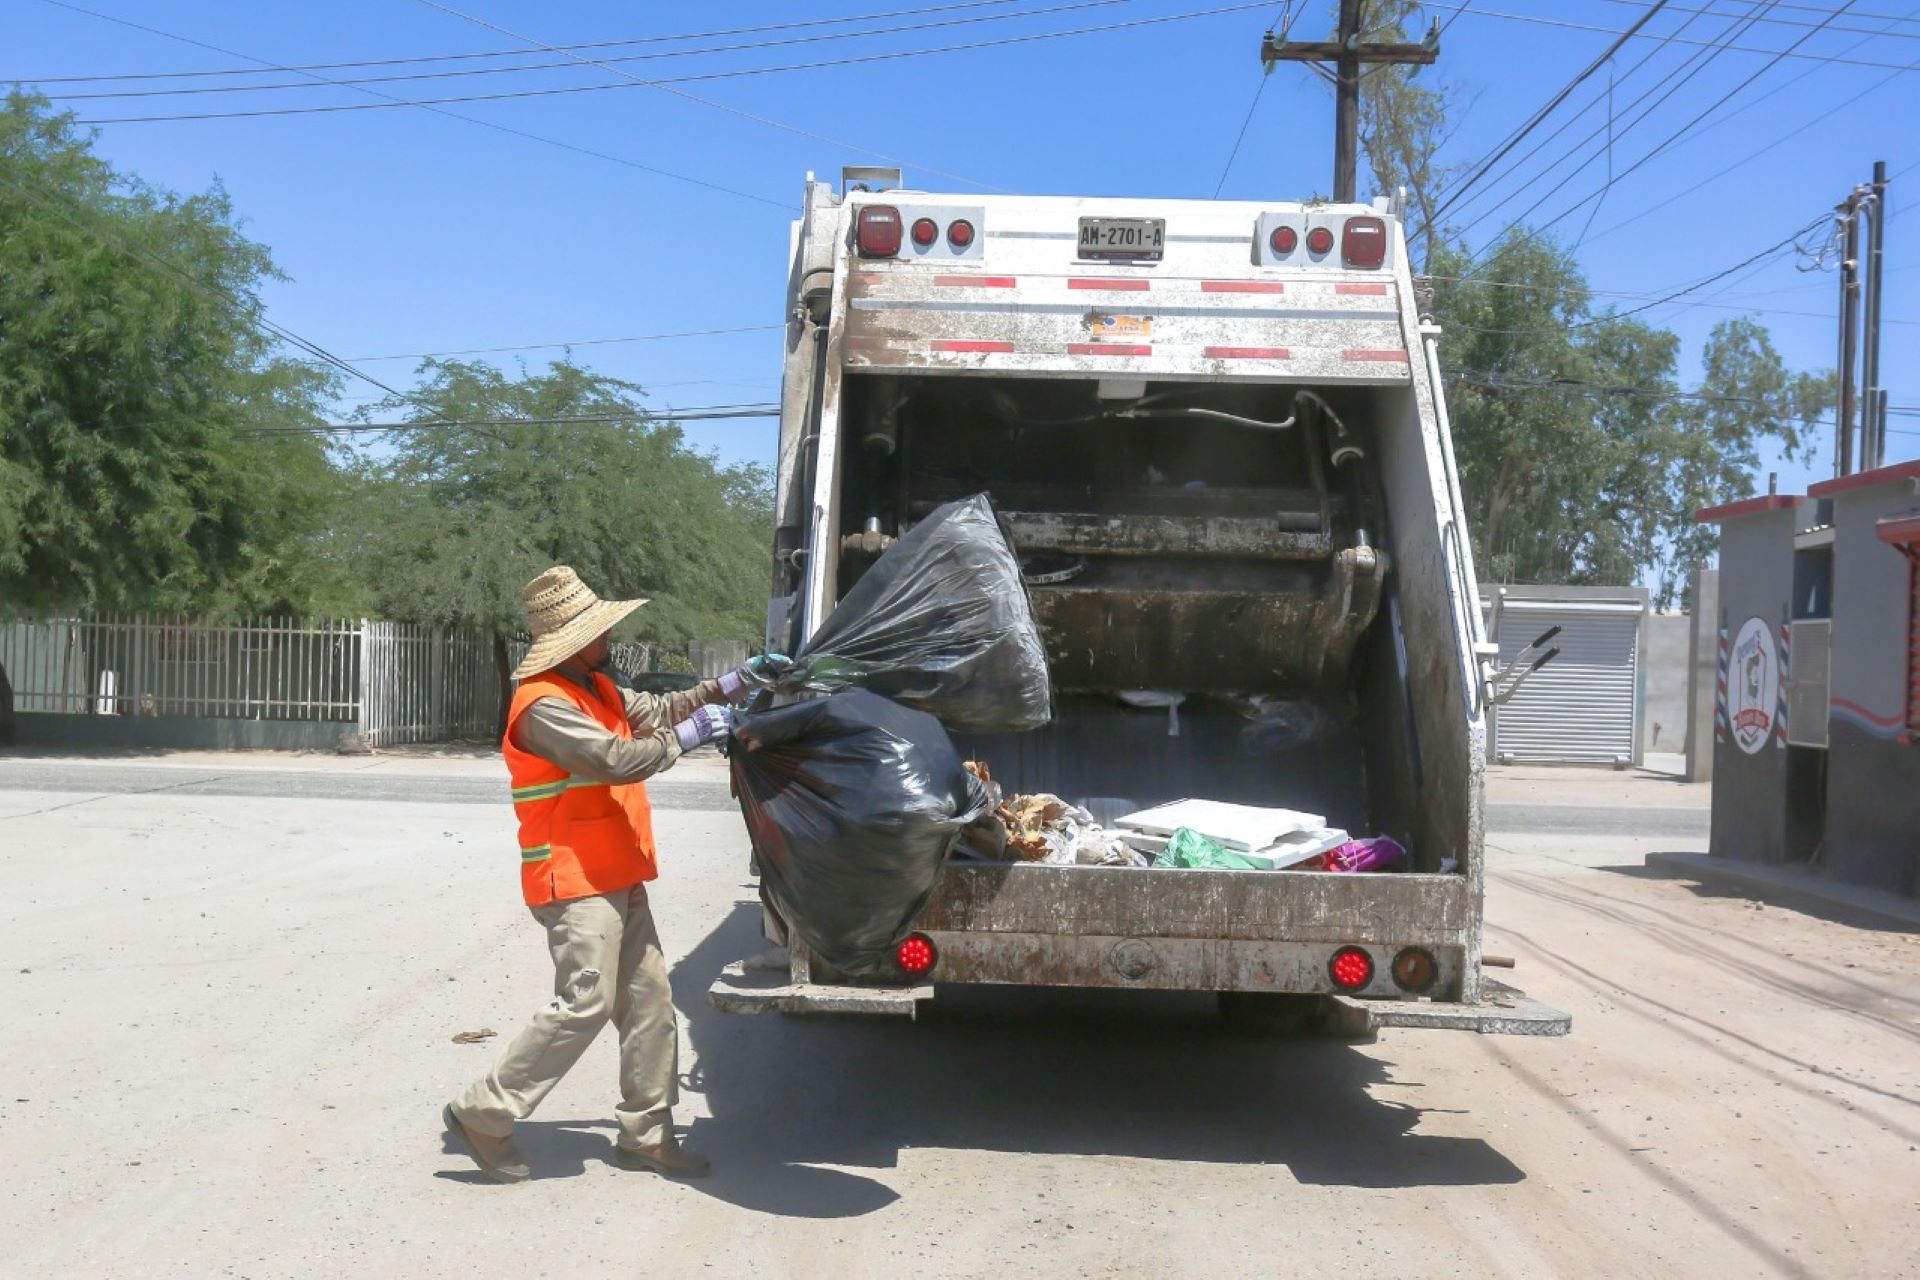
(396, 682)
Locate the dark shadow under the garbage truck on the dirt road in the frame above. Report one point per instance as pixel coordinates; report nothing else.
(1034, 1070)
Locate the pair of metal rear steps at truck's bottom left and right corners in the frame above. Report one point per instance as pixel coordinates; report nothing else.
(1502, 1010)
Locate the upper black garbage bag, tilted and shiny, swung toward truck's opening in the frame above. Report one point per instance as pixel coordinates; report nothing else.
(942, 623)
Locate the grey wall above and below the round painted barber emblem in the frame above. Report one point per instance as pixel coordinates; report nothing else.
(1750, 790)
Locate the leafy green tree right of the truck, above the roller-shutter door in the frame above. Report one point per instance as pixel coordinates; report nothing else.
(1581, 456)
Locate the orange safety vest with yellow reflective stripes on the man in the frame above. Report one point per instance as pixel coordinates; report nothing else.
(577, 838)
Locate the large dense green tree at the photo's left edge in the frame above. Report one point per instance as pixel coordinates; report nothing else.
(133, 387)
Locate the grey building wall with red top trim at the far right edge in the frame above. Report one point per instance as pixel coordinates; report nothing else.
(1873, 799)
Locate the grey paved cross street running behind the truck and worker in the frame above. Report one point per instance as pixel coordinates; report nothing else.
(667, 794)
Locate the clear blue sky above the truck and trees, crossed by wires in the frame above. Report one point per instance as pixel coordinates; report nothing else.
(410, 231)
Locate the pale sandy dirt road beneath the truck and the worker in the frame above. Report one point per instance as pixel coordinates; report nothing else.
(228, 1022)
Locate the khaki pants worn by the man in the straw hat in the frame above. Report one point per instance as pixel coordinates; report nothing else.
(608, 964)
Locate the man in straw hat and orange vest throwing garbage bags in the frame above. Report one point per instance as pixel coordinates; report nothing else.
(577, 751)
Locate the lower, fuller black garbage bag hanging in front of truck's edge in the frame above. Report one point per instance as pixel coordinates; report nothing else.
(853, 805)
